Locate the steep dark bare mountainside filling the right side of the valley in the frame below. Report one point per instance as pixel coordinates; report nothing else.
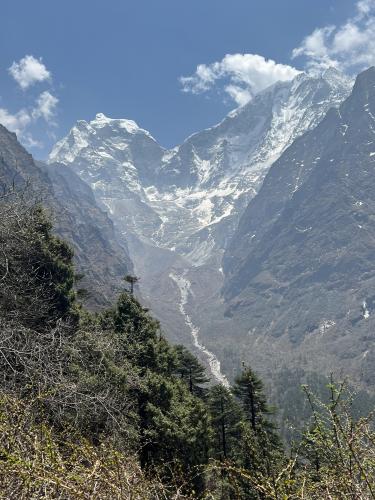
(300, 273)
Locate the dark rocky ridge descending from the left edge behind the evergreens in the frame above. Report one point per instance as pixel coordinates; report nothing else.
(99, 254)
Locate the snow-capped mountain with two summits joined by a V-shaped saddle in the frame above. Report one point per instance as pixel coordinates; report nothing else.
(189, 199)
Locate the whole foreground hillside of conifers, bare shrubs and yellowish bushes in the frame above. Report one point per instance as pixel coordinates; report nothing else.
(102, 406)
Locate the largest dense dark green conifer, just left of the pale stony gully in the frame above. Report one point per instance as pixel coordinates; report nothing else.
(173, 423)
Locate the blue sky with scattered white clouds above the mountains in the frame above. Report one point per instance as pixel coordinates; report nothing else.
(126, 59)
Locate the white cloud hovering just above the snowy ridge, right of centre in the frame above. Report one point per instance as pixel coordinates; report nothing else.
(244, 74)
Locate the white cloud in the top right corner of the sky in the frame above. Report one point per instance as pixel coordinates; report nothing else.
(350, 46)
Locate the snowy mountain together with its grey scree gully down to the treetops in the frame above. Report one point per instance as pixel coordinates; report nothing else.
(179, 208)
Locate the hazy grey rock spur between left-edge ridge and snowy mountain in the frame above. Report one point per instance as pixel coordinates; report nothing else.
(101, 254)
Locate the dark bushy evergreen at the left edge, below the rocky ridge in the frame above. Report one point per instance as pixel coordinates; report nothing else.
(36, 269)
